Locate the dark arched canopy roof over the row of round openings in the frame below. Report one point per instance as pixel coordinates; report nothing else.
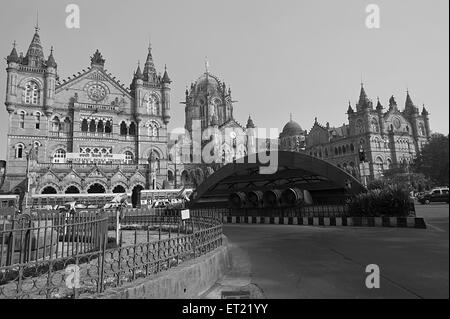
(293, 170)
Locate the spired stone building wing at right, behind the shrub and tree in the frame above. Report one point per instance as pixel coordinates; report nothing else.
(388, 138)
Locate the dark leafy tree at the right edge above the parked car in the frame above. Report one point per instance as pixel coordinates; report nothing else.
(433, 160)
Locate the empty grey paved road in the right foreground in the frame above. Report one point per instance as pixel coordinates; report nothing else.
(286, 261)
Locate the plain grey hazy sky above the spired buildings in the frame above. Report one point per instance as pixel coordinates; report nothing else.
(299, 56)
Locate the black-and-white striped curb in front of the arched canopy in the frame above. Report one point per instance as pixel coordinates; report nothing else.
(400, 222)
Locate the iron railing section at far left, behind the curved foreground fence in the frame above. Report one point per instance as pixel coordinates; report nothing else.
(48, 235)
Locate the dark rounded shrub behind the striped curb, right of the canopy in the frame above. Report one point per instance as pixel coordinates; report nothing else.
(389, 201)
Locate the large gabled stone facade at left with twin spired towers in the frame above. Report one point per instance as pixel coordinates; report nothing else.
(89, 113)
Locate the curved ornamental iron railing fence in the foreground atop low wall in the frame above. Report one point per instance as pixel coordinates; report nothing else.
(105, 267)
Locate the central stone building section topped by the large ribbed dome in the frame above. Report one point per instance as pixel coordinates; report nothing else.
(209, 103)
